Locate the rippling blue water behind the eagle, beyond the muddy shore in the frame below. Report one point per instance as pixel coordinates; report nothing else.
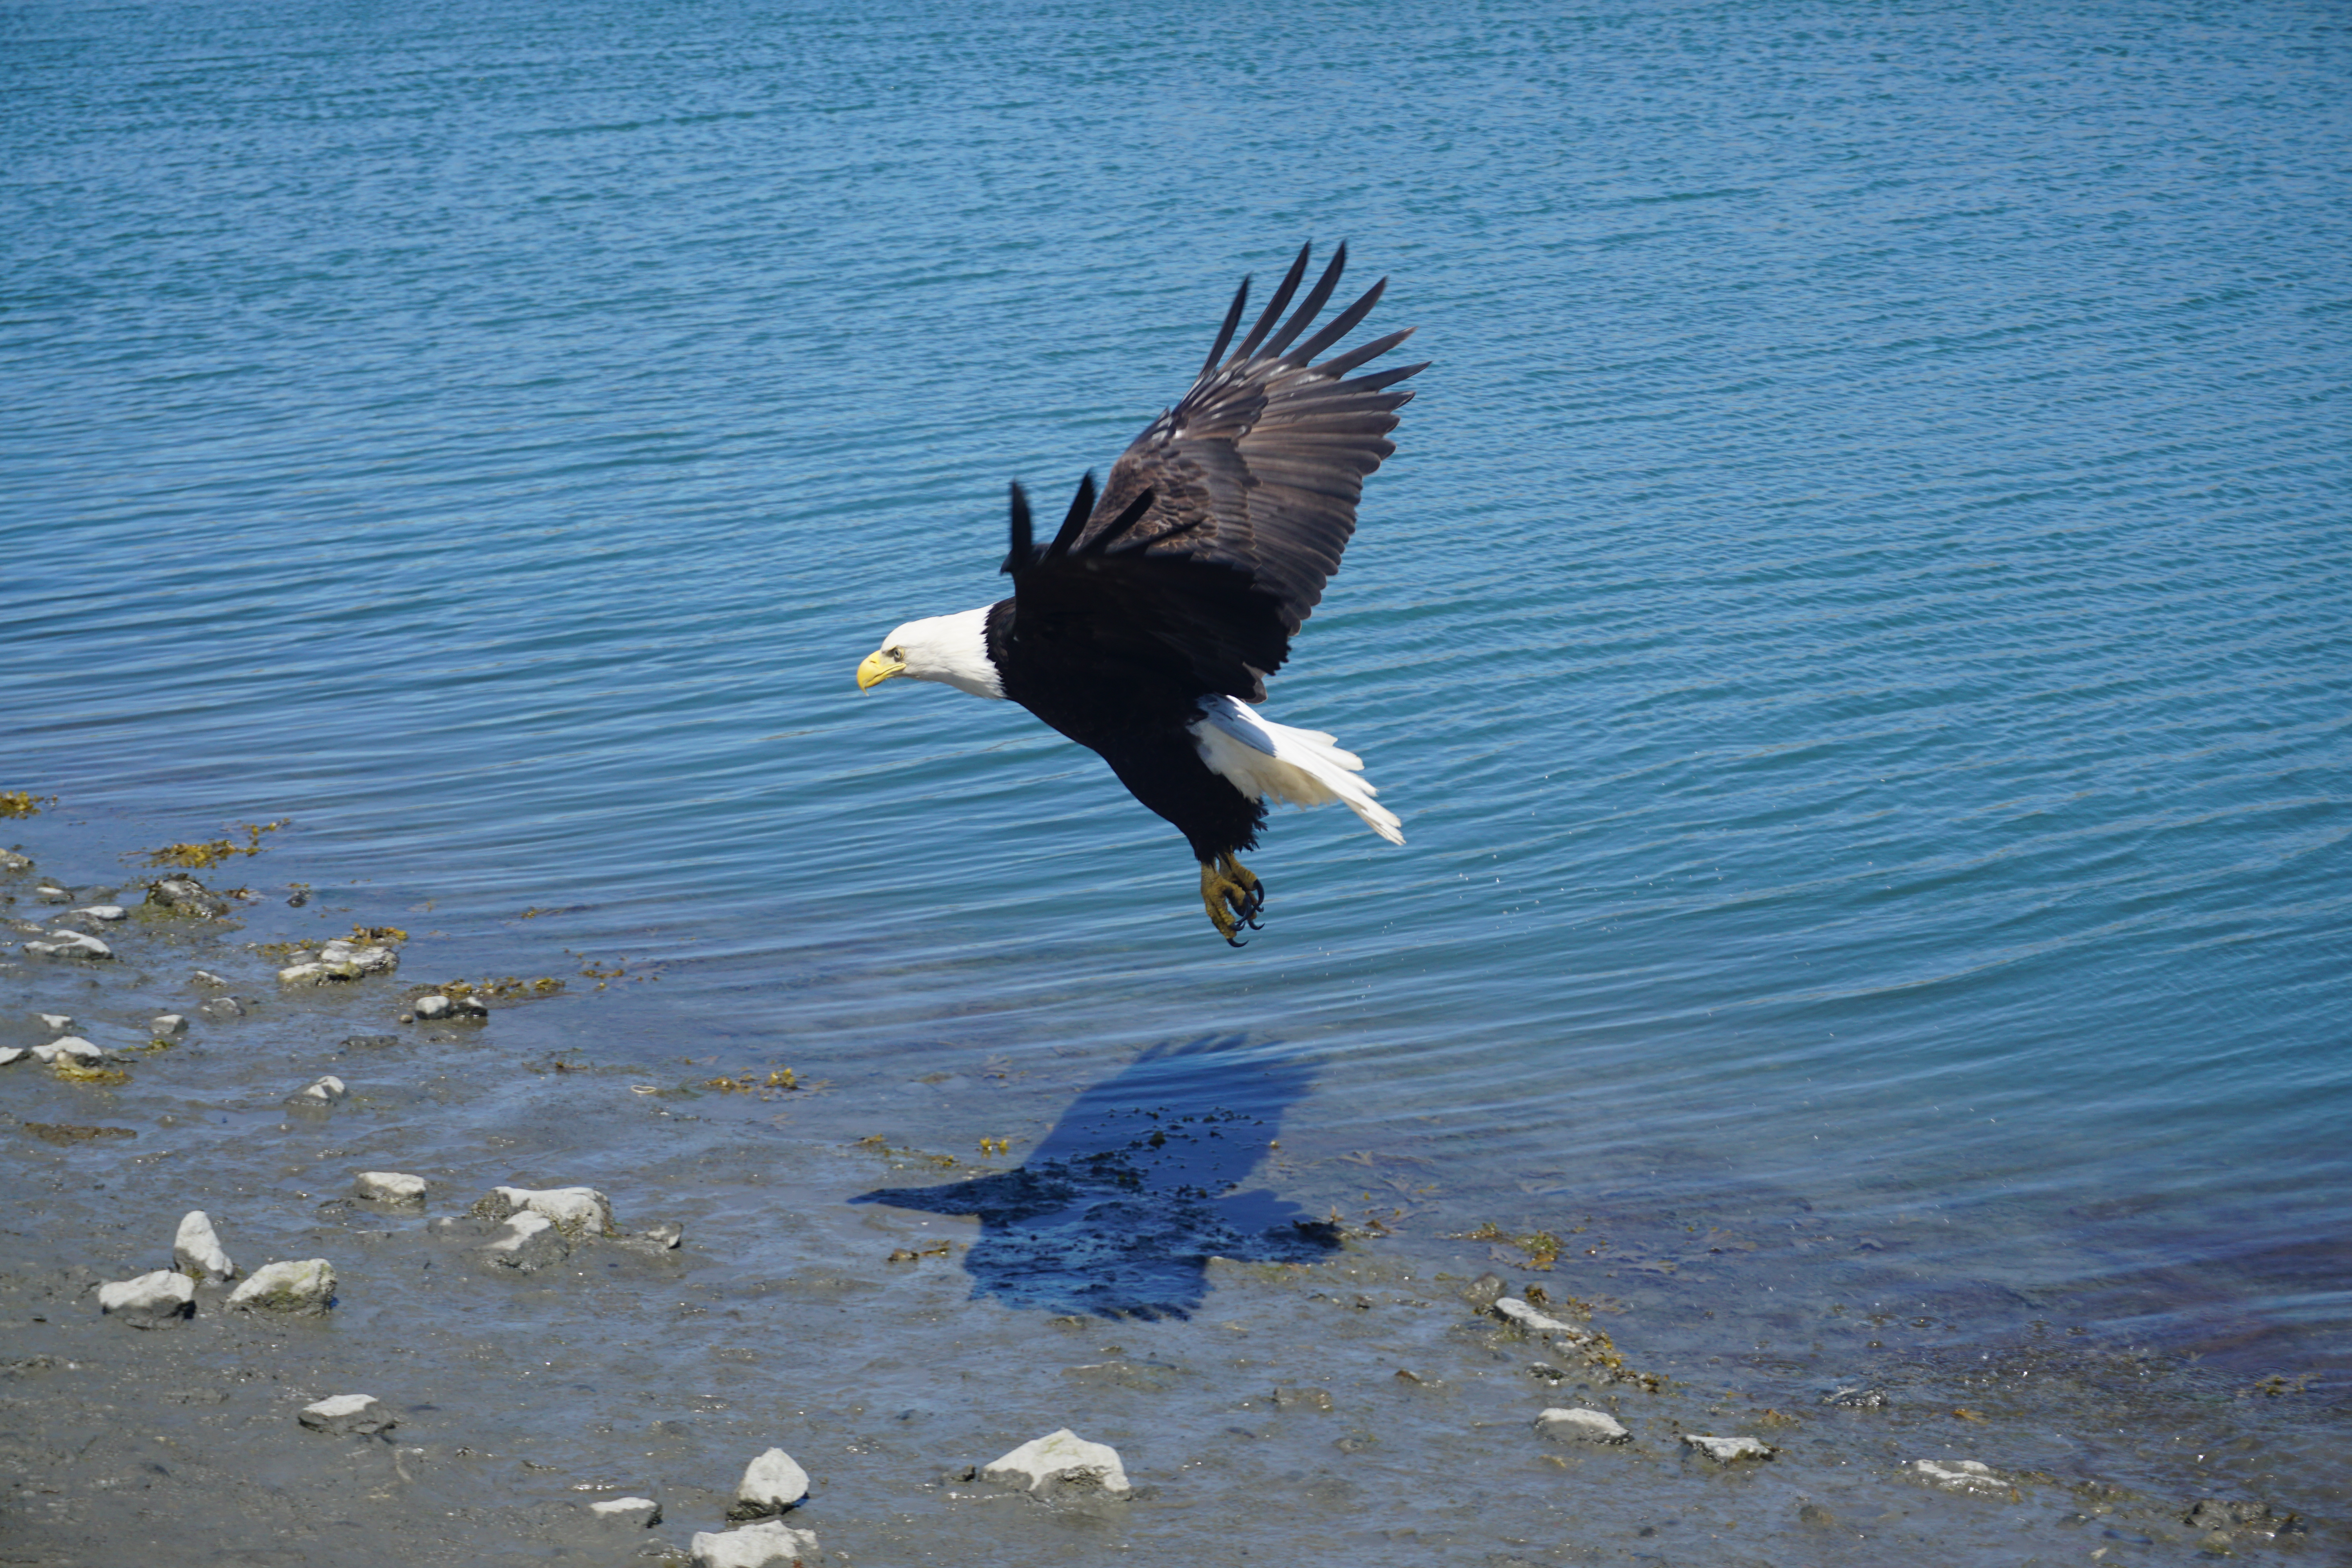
(1857, 624)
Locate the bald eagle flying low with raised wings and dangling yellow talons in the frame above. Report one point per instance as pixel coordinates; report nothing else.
(1147, 629)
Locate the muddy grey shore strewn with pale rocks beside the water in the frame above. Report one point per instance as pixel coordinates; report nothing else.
(307, 1264)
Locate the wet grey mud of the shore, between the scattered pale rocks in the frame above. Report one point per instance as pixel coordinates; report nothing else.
(1281, 1383)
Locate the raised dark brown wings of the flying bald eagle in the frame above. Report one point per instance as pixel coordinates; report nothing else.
(1222, 523)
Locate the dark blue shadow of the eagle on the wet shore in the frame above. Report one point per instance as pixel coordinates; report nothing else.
(1137, 1188)
